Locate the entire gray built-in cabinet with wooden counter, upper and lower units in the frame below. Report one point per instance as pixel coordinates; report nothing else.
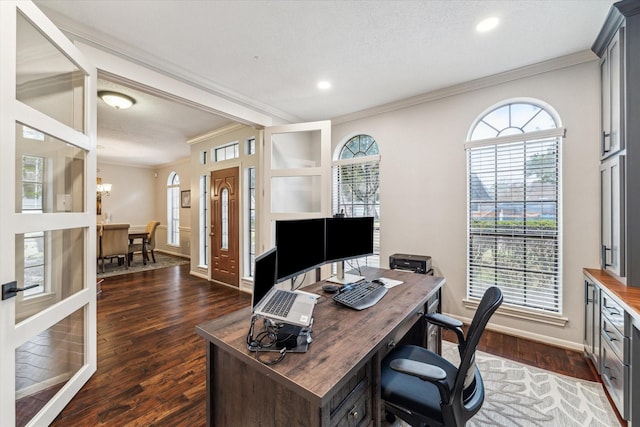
(612, 294)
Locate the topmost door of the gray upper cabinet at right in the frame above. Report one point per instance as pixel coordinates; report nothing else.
(611, 96)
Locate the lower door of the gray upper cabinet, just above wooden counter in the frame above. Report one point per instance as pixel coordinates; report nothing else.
(612, 215)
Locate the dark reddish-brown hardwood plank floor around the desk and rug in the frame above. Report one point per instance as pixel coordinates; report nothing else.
(151, 362)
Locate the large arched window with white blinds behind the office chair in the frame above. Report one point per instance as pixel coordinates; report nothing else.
(513, 163)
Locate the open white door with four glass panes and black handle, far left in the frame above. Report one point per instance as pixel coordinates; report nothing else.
(47, 217)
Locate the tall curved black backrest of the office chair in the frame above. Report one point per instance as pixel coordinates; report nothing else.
(464, 387)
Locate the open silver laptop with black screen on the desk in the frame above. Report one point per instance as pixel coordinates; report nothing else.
(267, 299)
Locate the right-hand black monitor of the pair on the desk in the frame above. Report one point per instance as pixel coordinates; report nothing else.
(348, 238)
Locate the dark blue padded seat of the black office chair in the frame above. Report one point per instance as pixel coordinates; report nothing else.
(411, 392)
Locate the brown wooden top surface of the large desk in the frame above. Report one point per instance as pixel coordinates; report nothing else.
(343, 339)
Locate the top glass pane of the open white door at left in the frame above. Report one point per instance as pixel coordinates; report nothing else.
(46, 79)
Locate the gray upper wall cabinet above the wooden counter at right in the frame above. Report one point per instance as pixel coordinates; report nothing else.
(618, 46)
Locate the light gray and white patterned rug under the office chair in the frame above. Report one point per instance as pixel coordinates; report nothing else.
(523, 395)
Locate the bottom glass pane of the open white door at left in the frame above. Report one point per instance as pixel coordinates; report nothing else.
(46, 362)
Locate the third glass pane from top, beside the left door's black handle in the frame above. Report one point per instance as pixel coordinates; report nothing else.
(52, 262)
